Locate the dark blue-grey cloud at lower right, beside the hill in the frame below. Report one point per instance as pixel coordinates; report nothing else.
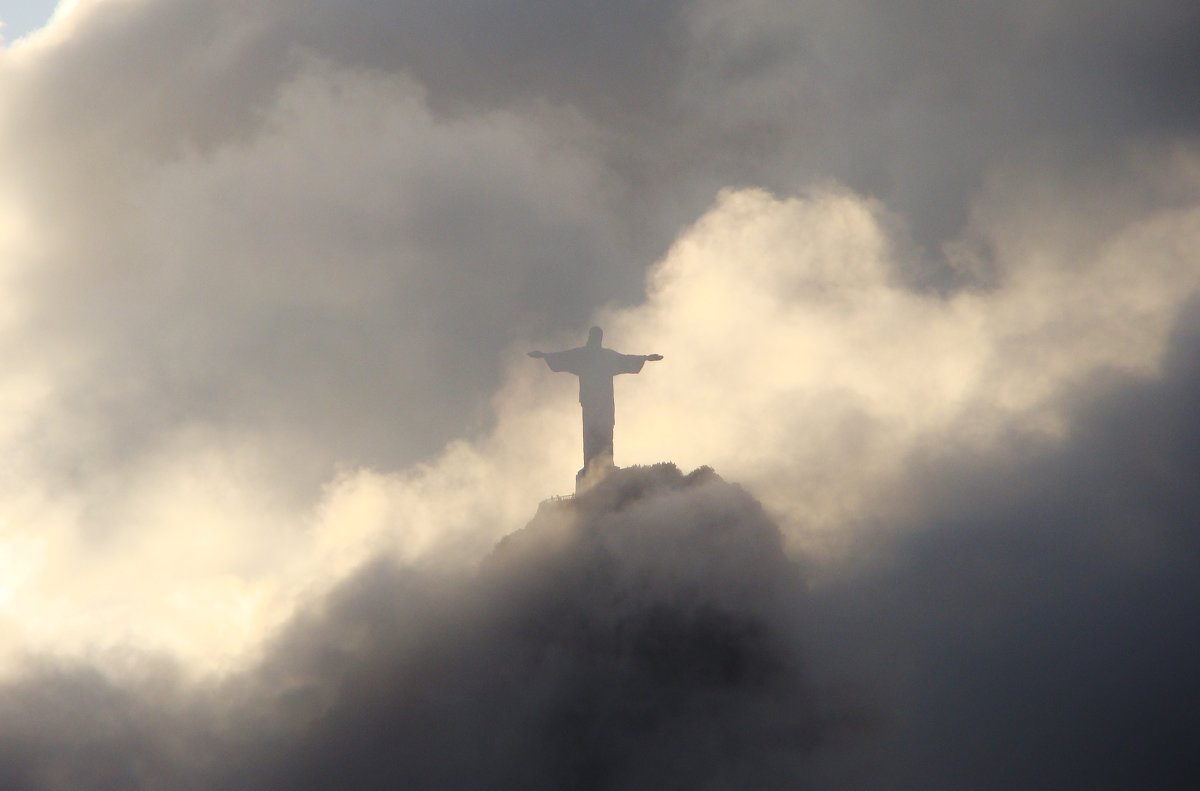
(1035, 627)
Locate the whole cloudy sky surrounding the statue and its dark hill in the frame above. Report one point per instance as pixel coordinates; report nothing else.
(925, 275)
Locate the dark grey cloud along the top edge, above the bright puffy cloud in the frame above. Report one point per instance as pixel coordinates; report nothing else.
(914, 103)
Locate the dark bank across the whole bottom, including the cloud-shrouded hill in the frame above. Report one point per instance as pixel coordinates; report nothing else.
(1040, 603)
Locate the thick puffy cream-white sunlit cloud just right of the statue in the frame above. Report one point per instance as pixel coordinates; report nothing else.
(800, 365)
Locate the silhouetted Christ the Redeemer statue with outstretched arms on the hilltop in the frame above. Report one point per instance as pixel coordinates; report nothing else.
(596, 367)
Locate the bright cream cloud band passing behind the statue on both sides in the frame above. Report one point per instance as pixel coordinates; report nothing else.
(842, 375)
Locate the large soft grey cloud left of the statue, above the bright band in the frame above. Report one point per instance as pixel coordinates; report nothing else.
(229, 274)
